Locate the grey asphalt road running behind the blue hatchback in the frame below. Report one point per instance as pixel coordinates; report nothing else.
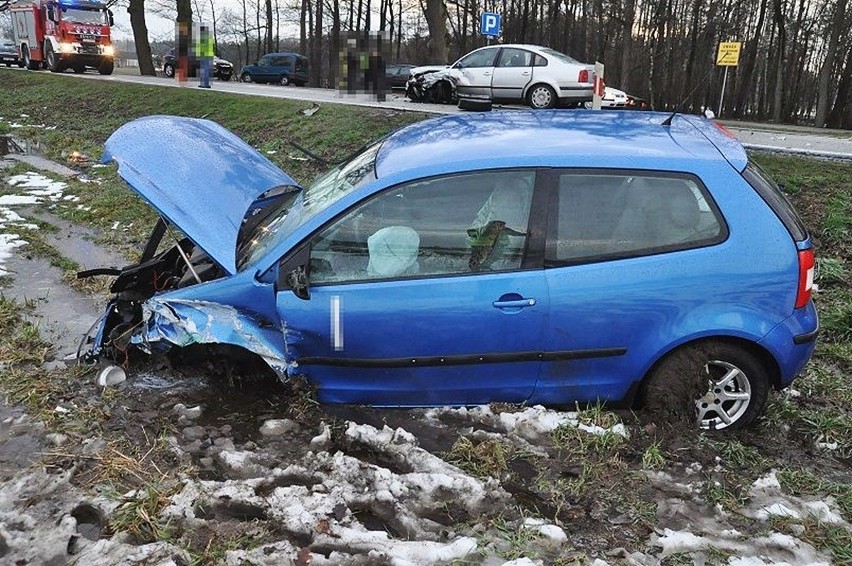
(836, 144)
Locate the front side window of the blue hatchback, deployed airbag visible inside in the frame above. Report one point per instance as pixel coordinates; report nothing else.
(450, 225)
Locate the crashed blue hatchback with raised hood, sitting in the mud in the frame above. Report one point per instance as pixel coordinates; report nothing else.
(522, 256)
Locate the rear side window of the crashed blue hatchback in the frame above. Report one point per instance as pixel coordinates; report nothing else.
(603, 216)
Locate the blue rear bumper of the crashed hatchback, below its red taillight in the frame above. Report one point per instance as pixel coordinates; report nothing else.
(792, 342)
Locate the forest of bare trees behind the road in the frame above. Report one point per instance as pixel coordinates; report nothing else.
(795, 65)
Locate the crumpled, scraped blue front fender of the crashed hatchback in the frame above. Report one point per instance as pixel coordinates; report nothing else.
(184, 322)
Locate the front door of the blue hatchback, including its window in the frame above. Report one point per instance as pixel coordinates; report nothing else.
(416, 300)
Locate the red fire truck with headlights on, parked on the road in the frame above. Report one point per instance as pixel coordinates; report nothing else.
(63, 34)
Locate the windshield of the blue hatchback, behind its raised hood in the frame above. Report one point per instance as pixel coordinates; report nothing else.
(296, 208)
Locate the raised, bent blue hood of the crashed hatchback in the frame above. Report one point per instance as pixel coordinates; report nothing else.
(196, 174)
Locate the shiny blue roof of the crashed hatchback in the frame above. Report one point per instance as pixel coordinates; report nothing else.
(556, 138)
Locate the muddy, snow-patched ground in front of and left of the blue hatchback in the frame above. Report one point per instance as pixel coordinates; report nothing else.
(183, 464)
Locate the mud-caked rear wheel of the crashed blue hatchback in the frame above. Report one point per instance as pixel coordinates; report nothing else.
(712, 383)
